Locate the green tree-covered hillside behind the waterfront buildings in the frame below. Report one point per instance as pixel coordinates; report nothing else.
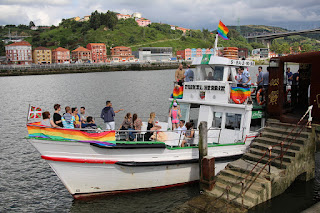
(106, 28)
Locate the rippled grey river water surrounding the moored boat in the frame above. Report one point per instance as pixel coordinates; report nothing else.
(27, 184)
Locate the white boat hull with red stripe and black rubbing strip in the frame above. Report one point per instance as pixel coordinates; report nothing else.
(88, 170)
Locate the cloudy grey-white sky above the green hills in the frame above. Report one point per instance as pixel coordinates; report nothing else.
(194, 14)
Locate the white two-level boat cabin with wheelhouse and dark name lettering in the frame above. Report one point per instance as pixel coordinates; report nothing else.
(207, 98)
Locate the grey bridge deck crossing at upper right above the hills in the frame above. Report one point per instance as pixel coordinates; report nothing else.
(267, 38)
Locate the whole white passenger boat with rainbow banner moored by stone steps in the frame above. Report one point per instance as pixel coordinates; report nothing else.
(89, 167)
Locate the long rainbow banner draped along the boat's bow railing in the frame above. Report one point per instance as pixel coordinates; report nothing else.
(36, 130)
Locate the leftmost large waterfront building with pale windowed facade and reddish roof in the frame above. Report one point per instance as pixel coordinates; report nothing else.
(19, 53)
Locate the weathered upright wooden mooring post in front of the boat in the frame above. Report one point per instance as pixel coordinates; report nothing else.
(203, 146)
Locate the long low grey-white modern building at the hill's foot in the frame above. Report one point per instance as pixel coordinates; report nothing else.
(155, 53)
